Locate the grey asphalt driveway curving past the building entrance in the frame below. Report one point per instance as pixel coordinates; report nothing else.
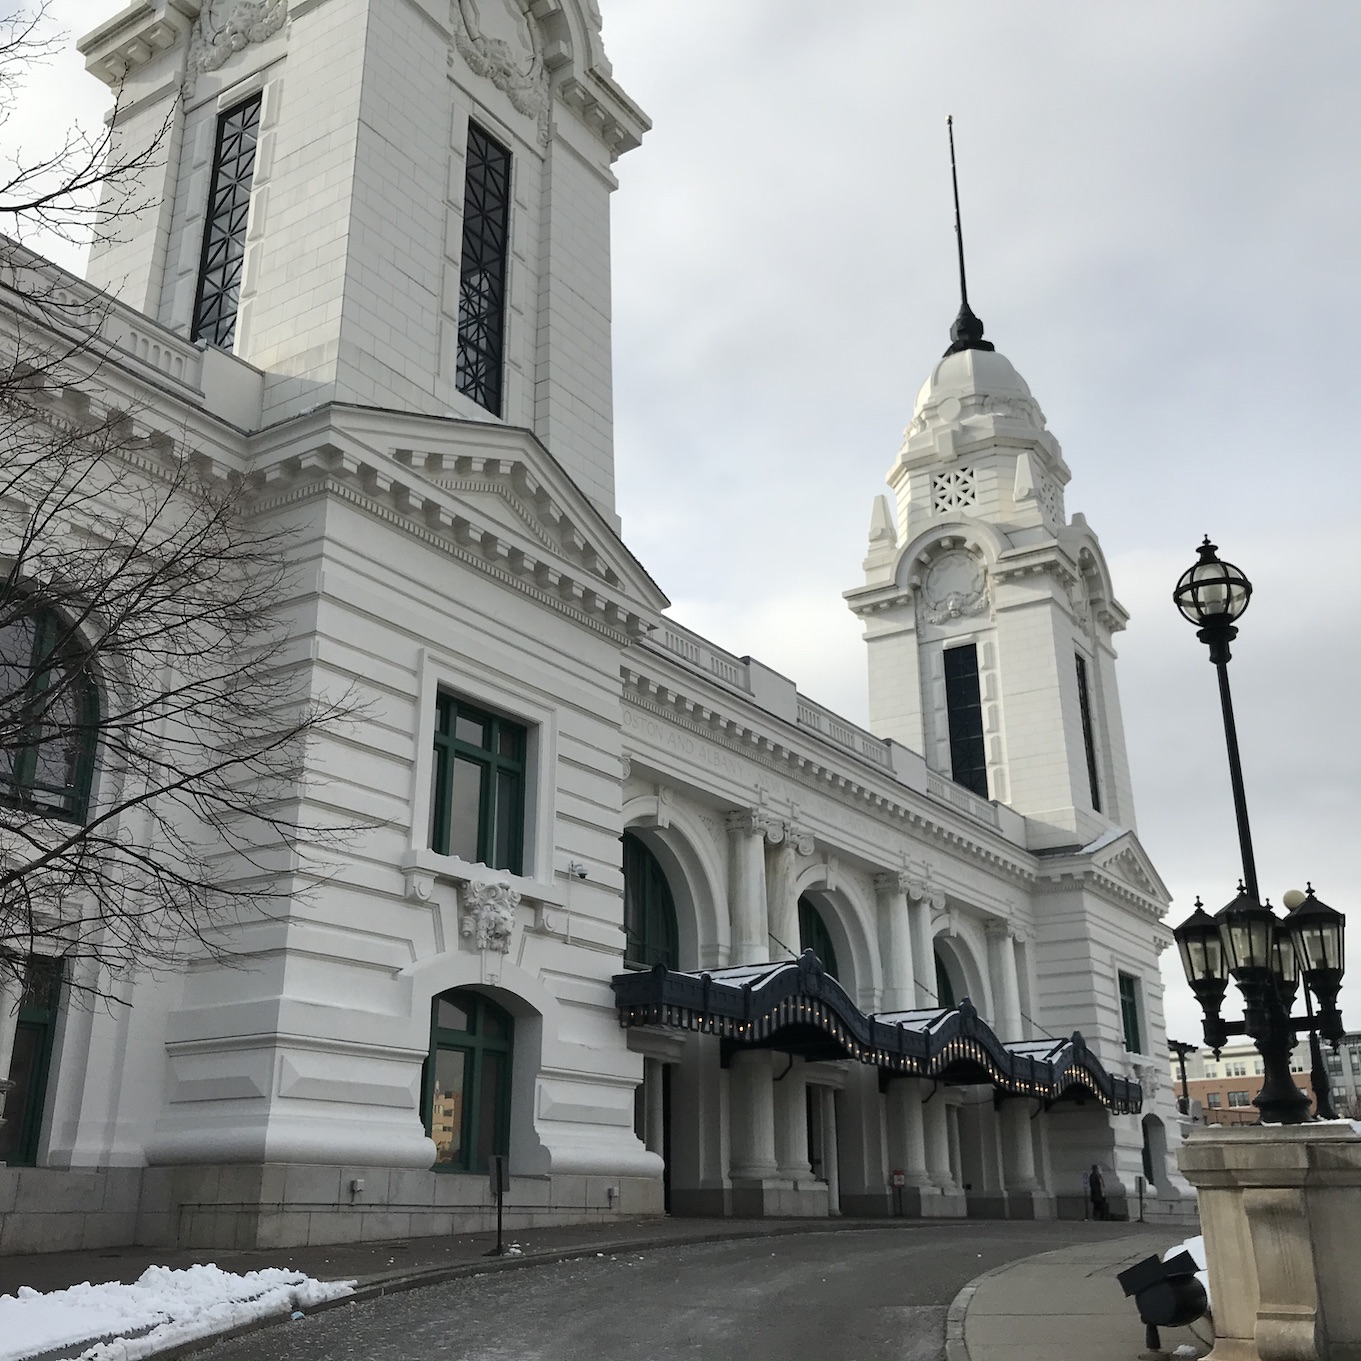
(877, 1295)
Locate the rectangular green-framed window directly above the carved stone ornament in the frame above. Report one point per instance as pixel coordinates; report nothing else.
(477, 786)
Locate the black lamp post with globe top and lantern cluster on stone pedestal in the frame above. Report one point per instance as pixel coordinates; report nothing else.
(1268, 956)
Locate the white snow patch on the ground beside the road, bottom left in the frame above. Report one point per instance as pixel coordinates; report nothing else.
(165, 1307)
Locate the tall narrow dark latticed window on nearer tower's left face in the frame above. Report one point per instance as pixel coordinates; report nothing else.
(225, 232)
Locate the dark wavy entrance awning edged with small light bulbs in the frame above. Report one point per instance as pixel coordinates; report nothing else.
(797, 1008)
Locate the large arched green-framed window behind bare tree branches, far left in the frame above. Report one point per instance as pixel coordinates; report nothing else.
(50, 717)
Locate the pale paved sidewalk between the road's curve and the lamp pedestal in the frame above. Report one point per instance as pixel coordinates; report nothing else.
(1062, 1305)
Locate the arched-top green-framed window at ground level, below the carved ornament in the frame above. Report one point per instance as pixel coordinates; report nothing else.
(468, 1088)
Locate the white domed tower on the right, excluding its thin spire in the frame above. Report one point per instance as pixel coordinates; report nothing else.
(989, 612)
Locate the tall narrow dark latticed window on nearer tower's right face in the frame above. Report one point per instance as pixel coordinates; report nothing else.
(482, 278)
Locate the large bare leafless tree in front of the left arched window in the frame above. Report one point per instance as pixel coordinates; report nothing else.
(153, 722)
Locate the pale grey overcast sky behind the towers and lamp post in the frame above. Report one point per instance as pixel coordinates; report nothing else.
(1163, 212)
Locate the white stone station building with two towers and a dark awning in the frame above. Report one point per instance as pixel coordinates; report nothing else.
(374, 277)
